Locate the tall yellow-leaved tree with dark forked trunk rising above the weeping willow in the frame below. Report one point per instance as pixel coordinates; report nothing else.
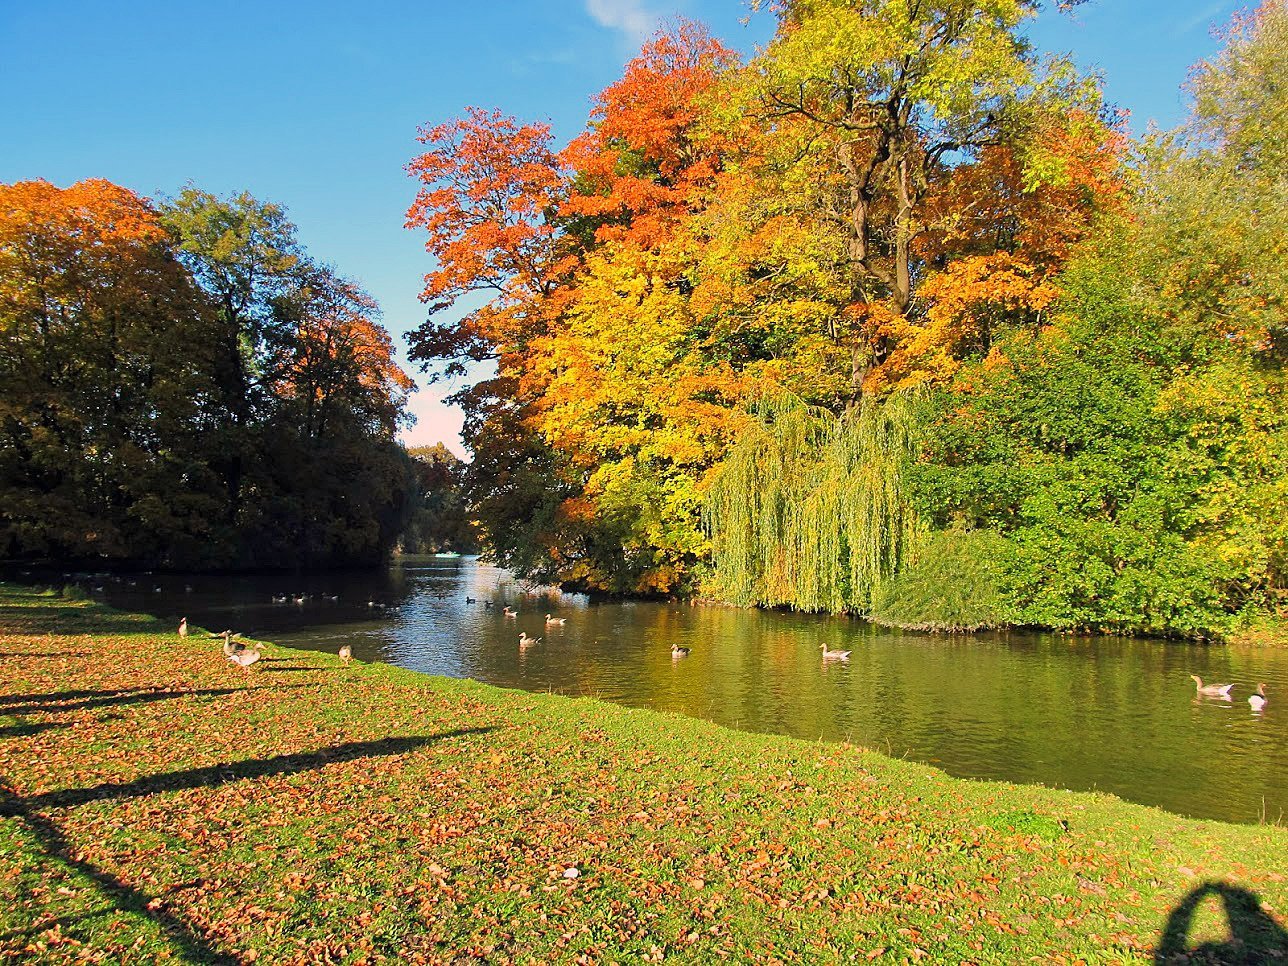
(873, 110)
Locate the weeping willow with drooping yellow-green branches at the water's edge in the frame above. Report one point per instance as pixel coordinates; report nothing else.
(810, 511)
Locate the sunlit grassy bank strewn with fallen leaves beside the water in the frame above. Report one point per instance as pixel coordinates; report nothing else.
(160, 804)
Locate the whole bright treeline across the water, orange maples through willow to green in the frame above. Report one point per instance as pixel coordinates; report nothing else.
(893, 319)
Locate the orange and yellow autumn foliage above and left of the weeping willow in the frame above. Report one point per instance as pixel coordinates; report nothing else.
(860, 208)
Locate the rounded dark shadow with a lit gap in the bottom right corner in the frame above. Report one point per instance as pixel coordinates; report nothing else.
(1255, 937)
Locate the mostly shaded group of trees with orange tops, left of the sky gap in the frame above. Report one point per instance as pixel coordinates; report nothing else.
(182, 386)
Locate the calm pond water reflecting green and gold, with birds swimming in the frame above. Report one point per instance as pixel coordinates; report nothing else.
(1089, 714)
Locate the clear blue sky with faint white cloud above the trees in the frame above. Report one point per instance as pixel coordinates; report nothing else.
(316, 105)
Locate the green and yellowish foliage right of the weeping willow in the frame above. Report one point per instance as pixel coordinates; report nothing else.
(1134, 453)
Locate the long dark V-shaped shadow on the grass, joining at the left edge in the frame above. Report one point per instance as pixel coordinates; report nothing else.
(187, 942)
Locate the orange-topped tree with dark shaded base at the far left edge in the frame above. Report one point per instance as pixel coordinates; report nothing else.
(105, 379)
